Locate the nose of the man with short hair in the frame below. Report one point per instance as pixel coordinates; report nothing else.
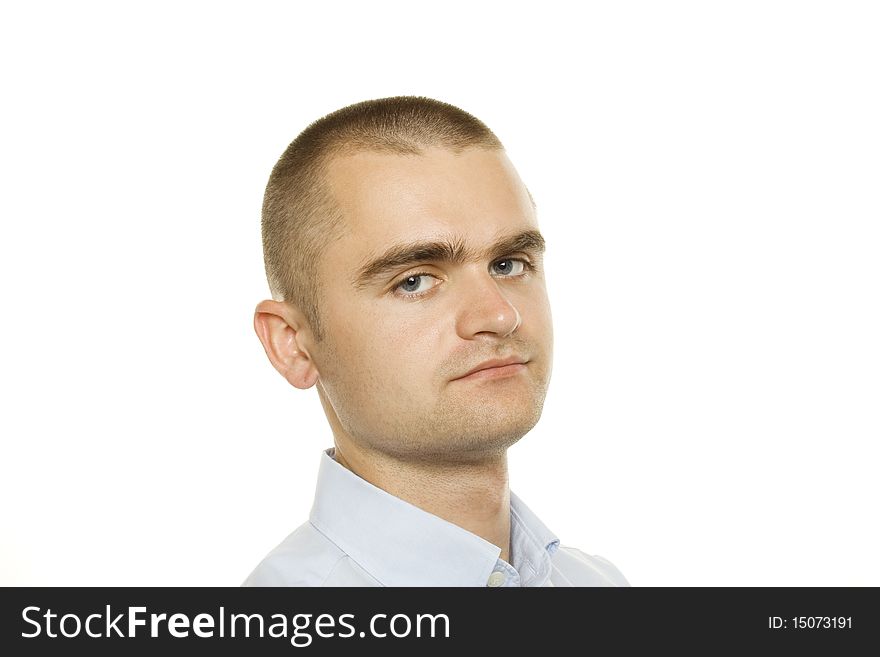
(486, 309)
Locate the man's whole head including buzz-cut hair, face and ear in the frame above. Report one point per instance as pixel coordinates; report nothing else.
(402, 251)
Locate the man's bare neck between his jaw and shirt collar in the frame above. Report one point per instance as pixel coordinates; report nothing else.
(473, 495)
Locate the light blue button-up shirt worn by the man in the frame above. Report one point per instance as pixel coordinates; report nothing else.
(360, 535)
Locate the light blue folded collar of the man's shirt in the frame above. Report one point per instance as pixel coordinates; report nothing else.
(402, 545)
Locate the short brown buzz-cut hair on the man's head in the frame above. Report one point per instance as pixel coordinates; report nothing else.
(300, 217)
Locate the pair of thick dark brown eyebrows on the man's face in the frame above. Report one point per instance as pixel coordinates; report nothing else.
(452, 250)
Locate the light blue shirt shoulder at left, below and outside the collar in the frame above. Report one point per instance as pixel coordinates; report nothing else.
(305, 558)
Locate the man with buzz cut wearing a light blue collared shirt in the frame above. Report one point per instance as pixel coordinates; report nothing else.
(405, 264)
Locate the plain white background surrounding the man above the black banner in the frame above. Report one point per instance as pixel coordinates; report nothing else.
(706, 176)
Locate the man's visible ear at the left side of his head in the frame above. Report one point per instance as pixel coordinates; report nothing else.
(279, 327)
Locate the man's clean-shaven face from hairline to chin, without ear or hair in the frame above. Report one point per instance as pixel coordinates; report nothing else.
(390, 365)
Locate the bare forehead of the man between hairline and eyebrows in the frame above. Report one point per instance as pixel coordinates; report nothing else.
(385, 197)
